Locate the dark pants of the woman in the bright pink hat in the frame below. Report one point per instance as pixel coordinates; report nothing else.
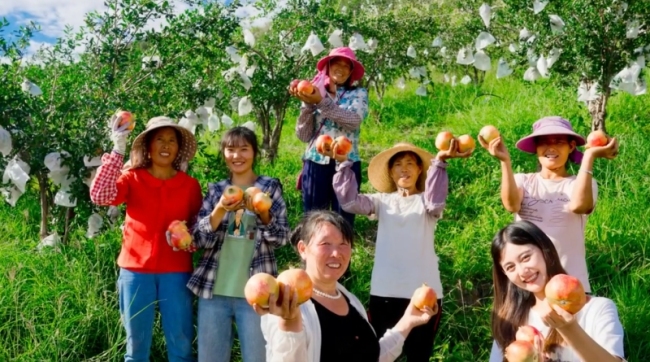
(318, 192)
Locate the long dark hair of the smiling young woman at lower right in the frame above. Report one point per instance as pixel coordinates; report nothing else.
(512, 304)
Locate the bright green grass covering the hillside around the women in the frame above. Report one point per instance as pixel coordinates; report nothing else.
(62, 306)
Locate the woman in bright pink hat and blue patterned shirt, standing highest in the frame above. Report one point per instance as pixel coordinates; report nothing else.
(336, 108)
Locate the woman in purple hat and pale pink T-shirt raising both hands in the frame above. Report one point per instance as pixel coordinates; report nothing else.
(551, 198)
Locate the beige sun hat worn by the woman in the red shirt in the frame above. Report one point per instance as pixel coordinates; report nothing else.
(139, 156)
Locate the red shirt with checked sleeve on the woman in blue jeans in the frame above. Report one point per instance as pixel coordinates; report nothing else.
(151, 205)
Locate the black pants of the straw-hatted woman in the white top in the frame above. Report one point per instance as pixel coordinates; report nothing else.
(384, 313)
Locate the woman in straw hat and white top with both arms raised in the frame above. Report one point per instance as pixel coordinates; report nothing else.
(412, 188)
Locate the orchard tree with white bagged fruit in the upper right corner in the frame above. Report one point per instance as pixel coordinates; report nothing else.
(597, 46)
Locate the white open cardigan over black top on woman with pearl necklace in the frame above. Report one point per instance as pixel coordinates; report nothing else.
(305, 346)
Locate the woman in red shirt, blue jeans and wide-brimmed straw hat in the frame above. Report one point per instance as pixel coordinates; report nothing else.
(156, 191)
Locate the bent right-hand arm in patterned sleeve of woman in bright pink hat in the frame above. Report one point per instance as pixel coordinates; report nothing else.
(348, 117)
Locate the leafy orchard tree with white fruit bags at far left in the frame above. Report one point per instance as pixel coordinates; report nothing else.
(58, 105)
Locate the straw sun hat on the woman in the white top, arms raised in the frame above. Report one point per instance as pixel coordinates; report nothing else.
(379, 174)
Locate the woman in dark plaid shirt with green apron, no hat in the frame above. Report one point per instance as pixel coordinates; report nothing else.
(238, 242)
